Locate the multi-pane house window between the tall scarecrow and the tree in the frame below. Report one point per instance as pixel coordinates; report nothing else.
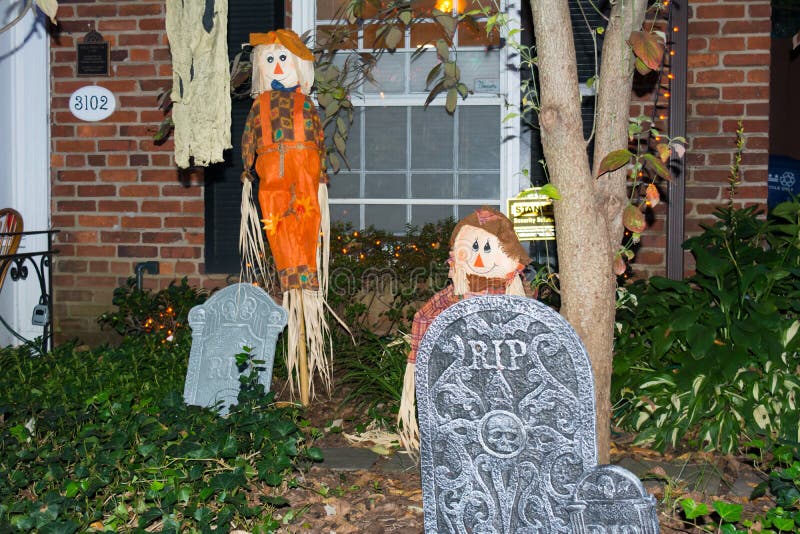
(410, 164)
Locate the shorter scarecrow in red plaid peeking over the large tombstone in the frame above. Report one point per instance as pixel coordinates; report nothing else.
(486, 258)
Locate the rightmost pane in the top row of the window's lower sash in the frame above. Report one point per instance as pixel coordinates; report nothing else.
(479, 137)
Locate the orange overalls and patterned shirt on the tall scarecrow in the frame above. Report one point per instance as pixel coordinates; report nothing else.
(284, 131)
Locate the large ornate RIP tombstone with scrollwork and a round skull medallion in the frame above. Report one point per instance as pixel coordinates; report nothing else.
(506, 410)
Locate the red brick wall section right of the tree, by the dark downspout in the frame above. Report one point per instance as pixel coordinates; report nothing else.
(728, 80)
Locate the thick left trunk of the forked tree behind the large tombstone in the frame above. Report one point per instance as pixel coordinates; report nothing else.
(585, 251)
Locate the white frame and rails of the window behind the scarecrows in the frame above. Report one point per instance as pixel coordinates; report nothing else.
(507, 100)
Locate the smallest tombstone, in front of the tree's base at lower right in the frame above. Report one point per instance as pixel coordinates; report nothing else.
(612, 500)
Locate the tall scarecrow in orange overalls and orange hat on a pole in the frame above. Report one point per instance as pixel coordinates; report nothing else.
(283, 136)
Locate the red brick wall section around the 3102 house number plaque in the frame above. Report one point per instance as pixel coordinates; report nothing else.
(117, 197)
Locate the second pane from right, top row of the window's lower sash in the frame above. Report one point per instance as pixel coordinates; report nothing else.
(431, 138)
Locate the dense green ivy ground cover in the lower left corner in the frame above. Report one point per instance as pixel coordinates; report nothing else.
(101, 440)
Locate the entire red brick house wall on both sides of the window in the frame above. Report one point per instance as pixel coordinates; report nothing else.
(119, 200)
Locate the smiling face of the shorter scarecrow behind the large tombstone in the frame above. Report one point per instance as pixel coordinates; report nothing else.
(479, 253)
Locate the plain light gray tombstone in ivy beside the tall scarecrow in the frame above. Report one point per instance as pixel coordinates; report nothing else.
(238, 316)
